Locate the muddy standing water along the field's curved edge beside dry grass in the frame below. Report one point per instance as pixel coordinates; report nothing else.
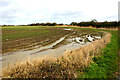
(67, 42)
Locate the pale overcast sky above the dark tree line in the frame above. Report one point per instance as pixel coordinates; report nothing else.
(60, 11)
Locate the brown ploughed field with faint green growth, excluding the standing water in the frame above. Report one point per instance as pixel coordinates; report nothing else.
(19, 37)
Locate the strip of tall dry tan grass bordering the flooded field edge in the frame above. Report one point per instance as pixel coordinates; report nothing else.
(61, 67)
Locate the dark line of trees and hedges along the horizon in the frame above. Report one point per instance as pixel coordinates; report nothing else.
(92, 23)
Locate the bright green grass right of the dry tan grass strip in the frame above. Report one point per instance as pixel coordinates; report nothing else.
(106, 65)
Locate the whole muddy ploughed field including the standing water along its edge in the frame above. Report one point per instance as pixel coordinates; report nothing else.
(21, 43)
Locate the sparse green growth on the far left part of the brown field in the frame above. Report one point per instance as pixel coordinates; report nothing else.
(13, 33)
